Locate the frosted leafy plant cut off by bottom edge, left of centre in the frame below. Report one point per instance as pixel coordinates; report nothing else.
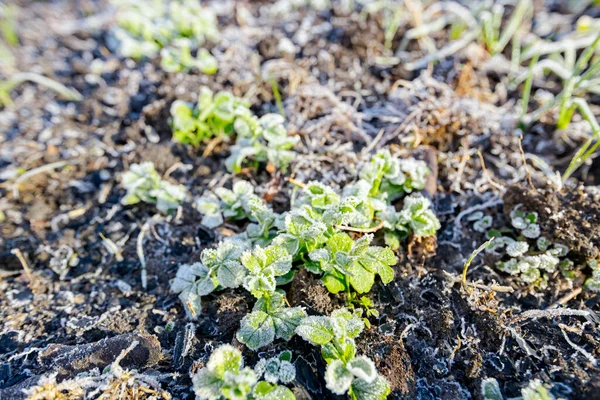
(226, 377)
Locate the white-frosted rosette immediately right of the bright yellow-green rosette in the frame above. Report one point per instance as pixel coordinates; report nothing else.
(263, 140)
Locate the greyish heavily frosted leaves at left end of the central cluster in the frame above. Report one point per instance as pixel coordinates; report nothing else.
(220, 268)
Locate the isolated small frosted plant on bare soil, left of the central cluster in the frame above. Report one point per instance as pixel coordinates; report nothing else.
(143, 183)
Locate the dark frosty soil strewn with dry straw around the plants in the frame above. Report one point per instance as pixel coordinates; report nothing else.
(432, 338)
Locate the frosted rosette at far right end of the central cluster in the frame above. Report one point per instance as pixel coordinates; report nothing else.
(416, 218)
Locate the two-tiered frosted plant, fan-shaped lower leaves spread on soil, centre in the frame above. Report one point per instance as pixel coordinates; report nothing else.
(270, 318)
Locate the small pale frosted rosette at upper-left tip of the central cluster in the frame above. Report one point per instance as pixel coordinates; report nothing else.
(232, 204)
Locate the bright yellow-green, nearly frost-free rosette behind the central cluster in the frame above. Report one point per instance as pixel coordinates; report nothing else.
(213, 115)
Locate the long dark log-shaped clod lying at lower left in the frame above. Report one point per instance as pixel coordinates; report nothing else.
(71, 360)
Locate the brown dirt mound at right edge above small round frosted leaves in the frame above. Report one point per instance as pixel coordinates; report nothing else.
(568, 217)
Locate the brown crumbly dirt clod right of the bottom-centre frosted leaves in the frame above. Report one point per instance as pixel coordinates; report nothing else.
(392, 361)
